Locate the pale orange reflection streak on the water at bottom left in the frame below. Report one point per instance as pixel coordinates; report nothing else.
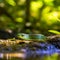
(9, 56)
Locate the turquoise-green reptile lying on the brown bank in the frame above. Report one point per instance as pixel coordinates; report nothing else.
(37, 37)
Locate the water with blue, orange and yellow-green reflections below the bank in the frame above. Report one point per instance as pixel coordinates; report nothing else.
(47, 52)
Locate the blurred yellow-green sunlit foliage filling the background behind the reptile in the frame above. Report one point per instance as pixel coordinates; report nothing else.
(30, 16)
